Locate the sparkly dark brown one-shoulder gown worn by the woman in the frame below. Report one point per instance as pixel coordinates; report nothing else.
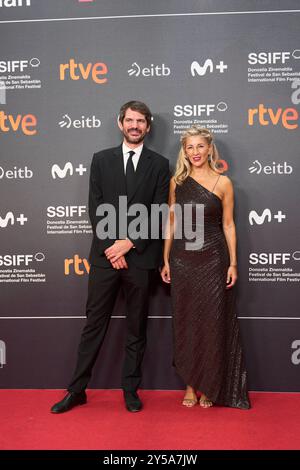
(207, 348)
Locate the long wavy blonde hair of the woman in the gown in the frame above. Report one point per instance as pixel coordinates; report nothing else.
(183, 166)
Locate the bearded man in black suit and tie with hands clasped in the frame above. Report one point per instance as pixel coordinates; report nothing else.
(142, 175)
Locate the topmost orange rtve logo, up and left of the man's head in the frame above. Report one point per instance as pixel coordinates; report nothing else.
(96, 72)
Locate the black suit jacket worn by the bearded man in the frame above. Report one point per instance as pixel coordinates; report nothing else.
(107, 183)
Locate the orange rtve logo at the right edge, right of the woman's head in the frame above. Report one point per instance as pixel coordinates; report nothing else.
(287, 117)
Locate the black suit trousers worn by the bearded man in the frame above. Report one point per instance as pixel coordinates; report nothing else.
(104, 285)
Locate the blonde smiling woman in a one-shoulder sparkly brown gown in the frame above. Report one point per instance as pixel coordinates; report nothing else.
(207, 348)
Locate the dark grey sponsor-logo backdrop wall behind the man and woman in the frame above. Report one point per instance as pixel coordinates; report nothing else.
(66, 67)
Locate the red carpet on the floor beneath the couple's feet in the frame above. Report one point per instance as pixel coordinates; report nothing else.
(103, 423)
